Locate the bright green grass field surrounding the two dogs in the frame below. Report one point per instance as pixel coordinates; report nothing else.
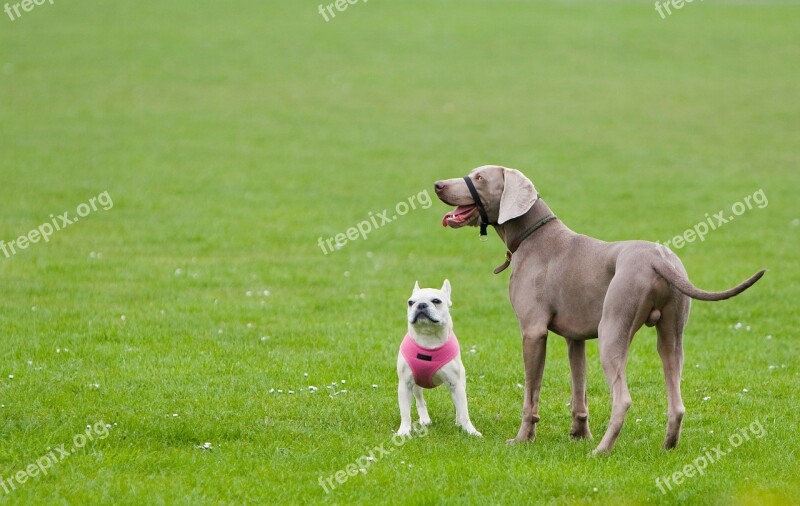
(230, 137)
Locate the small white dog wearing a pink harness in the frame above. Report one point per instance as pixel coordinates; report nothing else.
(430, 356)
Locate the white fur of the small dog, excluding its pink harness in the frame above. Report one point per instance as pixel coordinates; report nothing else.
(432, 334)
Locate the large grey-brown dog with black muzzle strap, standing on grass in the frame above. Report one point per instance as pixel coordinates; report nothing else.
(580, 288)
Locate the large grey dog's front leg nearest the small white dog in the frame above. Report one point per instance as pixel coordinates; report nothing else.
(534, 348)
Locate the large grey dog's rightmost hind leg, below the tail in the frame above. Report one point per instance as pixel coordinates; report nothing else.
(670, 348)
